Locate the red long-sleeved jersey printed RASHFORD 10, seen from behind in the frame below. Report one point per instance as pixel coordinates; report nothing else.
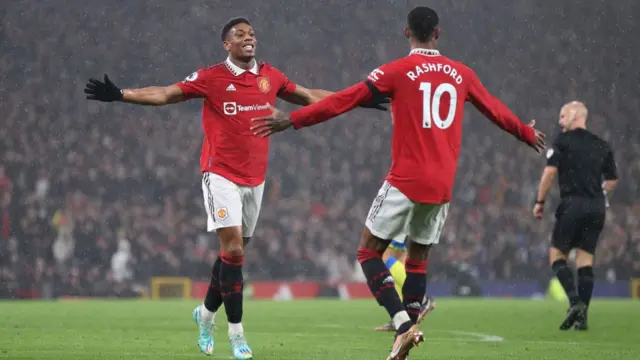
(428, 92)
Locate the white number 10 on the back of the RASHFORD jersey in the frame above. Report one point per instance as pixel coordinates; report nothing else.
(431, 105)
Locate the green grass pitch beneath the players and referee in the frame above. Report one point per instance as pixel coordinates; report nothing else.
(319, 329)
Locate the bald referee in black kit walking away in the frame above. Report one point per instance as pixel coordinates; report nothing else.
(583, 161)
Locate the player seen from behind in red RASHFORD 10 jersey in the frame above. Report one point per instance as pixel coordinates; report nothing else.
(428, 92)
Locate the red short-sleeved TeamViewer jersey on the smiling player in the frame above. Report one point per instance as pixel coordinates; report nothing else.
(232, 97)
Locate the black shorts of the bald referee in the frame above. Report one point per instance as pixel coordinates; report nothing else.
(579, 222)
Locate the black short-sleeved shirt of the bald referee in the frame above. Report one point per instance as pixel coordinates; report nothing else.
(583, 161)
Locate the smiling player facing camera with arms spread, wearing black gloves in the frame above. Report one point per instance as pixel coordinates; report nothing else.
(233, 161)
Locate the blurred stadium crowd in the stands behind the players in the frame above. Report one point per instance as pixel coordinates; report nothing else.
(95, 197)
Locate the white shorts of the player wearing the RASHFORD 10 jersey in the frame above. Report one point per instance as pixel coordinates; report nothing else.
(393, 215)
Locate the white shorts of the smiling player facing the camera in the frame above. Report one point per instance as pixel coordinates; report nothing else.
(229, 205)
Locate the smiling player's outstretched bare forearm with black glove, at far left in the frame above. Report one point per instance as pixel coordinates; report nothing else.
(107, 91)
